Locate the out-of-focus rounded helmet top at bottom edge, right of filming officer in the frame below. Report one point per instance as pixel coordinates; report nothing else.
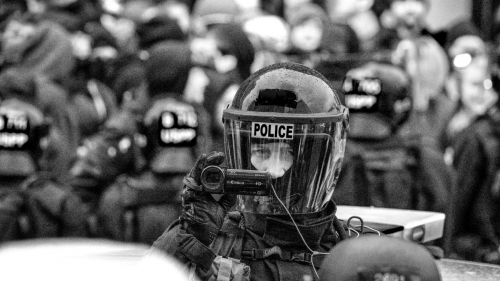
(373, 257)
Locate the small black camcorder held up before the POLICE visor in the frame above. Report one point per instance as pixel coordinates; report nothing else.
(217, 180)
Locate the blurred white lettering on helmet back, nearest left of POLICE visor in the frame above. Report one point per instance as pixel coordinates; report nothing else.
(178, 128)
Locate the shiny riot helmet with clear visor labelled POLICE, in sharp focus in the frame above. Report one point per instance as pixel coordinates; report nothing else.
(289, 112)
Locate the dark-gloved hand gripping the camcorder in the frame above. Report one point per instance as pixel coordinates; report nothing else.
(202, 215)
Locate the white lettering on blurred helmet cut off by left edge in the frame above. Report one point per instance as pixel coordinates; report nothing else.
(14, 132)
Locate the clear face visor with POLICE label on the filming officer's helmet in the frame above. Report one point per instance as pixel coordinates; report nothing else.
(303, 160)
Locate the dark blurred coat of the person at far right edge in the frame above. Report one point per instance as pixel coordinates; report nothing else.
(474, 199)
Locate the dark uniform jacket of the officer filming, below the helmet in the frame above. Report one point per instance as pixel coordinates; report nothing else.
(253, 246)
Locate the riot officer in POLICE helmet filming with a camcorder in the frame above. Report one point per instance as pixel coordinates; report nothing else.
(288, 122)
